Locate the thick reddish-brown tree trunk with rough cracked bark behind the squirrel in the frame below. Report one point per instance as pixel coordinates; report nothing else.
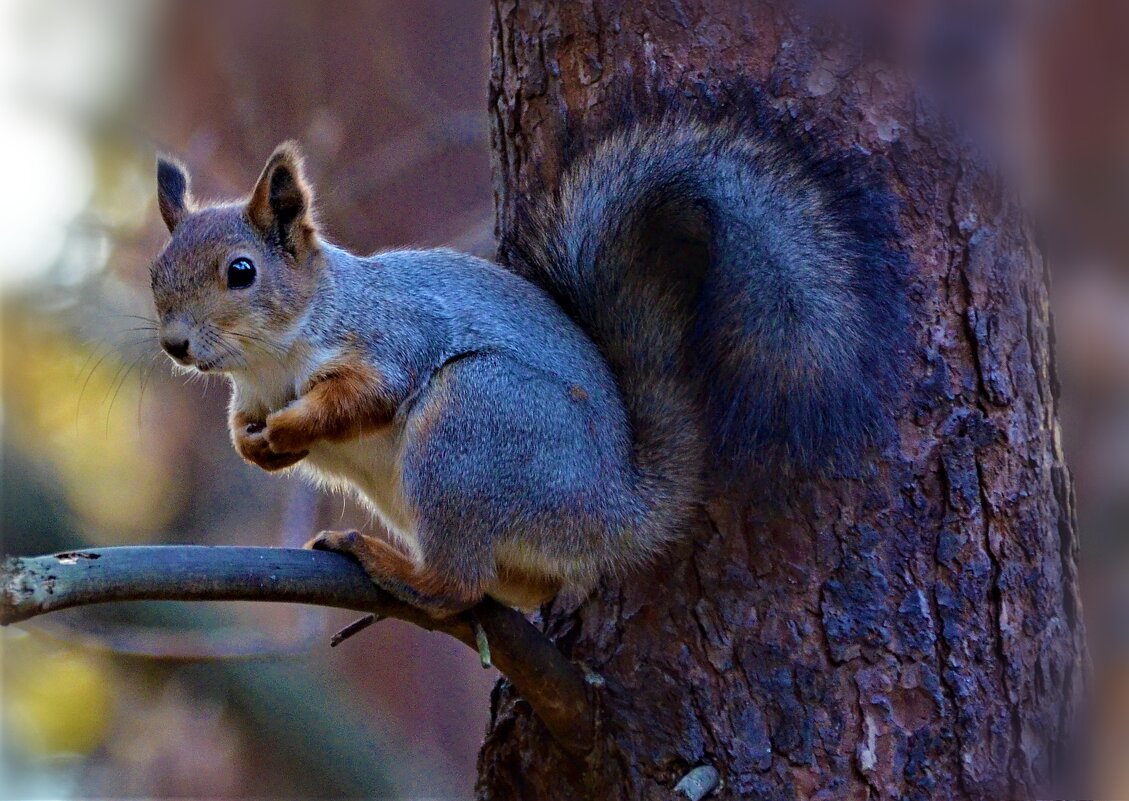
(913, 634)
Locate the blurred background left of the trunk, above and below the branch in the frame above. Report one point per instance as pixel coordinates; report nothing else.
(103, 446)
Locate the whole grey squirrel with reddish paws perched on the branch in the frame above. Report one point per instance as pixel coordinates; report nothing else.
(698, 304)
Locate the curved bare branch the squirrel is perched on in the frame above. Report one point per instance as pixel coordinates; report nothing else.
(30, 587)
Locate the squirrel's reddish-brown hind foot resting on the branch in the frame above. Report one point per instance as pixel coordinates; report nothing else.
(437, 594)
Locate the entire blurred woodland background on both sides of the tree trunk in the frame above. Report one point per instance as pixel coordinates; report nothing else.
(102, 446)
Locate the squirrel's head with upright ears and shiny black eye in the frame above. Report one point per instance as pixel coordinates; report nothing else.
(235, 278)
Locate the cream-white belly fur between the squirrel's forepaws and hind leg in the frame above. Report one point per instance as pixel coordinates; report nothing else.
(370, 467)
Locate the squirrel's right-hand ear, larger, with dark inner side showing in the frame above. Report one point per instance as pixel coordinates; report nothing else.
(282, 204)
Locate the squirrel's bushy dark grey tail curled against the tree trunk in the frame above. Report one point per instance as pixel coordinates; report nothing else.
(742, 291)
